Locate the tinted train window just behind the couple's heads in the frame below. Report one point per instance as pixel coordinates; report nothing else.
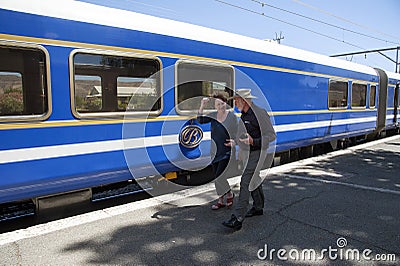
(195, 80)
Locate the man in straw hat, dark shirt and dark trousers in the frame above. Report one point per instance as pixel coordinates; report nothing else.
(254, 135)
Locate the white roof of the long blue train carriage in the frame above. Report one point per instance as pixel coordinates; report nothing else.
(78, 11)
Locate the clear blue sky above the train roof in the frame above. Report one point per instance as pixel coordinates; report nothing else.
(328, 27)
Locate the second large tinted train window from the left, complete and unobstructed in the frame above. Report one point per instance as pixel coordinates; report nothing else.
(111, 84)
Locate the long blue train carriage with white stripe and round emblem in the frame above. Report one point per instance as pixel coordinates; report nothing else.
(84, 102)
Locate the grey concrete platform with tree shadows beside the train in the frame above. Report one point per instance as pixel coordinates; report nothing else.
(342, 208)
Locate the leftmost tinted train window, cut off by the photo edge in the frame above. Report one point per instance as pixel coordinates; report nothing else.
(23, 84)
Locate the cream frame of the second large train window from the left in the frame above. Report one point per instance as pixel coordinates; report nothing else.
(113, 114)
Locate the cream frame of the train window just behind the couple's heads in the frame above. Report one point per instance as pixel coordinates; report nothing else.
(200, 63)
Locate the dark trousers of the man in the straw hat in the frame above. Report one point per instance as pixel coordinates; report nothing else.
(253, 164)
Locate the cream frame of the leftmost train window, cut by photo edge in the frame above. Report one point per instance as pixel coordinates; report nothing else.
(46, 88)
